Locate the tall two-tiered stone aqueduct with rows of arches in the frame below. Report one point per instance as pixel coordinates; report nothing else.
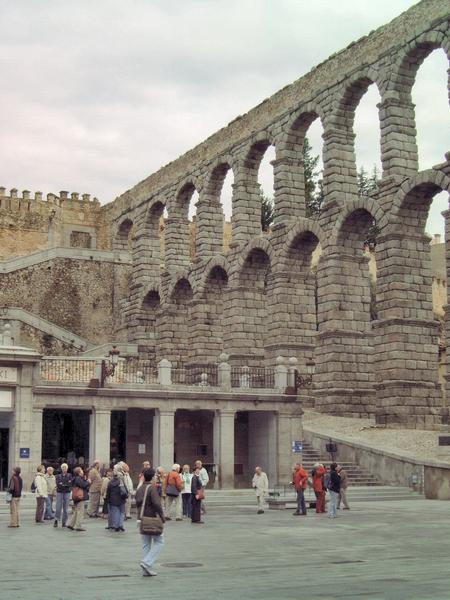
(260, 300)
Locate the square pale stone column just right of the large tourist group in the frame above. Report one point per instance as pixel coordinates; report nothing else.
(224, 447)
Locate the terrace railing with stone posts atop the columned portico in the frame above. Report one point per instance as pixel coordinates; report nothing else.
(222, 375)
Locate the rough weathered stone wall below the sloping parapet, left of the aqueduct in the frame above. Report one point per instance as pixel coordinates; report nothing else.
(80, 295)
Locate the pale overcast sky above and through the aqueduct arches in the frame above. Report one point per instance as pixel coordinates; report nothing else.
(98, 95)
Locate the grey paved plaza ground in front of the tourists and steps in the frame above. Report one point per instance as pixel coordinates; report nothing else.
(379, 550)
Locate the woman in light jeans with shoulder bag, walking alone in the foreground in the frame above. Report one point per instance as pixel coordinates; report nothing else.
(148, 504)
